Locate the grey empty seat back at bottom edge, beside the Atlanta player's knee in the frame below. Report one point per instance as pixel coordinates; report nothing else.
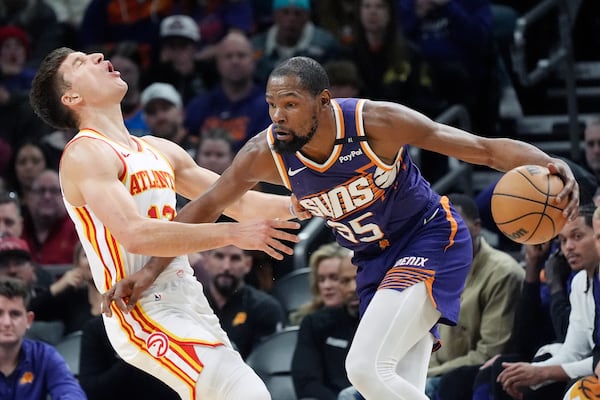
(272, 361)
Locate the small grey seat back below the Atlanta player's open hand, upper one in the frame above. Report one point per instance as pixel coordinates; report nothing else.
(293, 290)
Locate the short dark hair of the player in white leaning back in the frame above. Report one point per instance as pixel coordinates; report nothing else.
(46, 90)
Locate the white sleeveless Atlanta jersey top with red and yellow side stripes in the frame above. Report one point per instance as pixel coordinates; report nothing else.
(149, 178)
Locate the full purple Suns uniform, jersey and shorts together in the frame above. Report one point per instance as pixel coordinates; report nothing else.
(400, 230)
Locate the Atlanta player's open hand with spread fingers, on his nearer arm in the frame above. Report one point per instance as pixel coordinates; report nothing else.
(266, 235)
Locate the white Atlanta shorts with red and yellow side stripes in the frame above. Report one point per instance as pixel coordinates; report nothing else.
(163, 332)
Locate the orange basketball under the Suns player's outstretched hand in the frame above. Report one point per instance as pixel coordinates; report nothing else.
(524, 205)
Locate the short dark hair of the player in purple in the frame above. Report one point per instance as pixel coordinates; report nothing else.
(311, 74)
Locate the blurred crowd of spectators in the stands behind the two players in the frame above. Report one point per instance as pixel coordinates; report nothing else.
(196, 72)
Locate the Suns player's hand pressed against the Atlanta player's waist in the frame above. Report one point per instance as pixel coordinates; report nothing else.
(126, 292)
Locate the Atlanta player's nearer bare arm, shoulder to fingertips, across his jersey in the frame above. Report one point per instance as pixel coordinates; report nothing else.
(90, 176)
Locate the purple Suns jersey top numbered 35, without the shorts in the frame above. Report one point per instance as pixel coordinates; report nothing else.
(367, 202)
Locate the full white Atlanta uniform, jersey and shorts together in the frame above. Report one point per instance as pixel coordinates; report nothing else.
(172, 324)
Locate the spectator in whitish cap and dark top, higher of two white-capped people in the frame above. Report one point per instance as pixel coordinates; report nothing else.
(177, 64)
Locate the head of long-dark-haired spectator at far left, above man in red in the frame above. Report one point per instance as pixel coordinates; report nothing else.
(29, 161)
